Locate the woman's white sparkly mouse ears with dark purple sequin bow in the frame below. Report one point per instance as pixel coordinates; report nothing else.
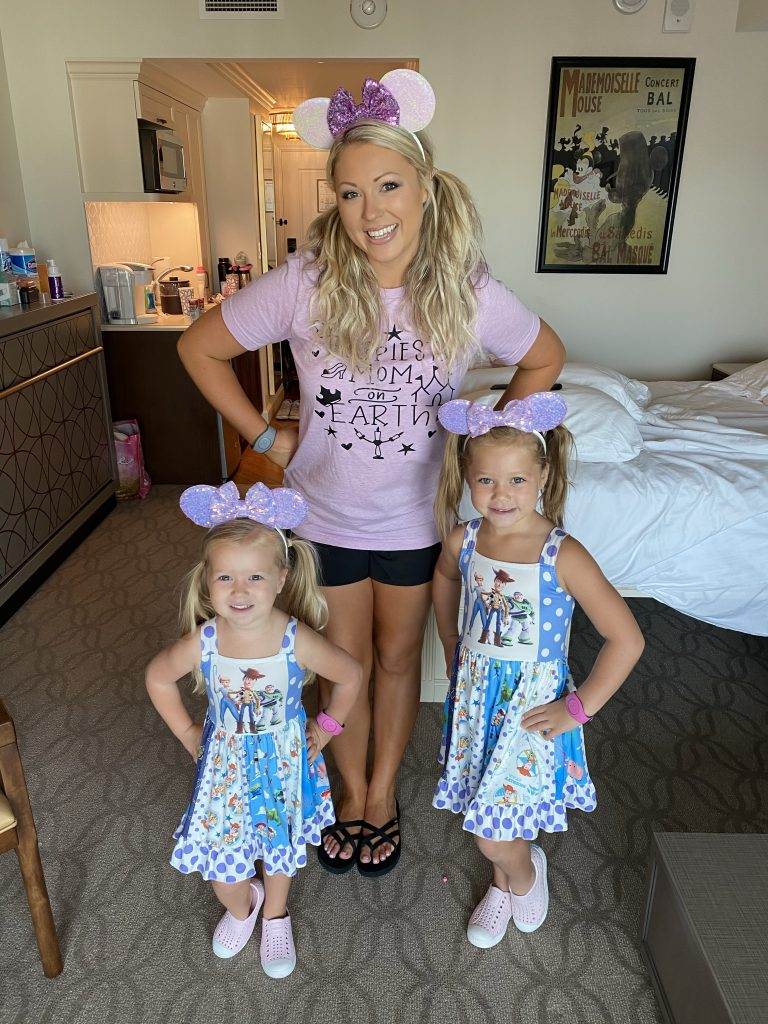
(402, 98)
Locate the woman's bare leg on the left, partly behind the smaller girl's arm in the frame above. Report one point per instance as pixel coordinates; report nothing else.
(351, 626)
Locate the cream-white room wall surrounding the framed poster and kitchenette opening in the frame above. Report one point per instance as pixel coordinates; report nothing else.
(490, 65)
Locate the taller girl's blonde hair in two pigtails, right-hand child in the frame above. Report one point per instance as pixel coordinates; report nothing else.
(458, 455)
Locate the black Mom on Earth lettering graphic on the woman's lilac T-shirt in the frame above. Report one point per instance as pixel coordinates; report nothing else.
(391, 409)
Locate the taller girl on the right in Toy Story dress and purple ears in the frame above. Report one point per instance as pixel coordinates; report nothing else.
(514, 745)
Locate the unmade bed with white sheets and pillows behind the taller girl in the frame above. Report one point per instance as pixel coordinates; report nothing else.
(670, 492)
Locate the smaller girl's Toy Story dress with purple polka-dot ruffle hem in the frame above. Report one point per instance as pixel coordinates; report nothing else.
(257, 795)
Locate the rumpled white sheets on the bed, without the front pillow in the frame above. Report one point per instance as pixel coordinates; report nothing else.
(687, 522)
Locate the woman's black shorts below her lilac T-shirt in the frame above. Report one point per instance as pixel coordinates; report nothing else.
(340, 567)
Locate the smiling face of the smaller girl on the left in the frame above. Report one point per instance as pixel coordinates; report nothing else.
(244, 581)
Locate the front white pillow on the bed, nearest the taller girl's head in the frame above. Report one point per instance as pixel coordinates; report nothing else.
(603, 430)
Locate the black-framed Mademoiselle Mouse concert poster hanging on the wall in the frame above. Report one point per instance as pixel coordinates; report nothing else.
(615, 146)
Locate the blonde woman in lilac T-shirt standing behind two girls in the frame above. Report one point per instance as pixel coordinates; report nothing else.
(385, 312)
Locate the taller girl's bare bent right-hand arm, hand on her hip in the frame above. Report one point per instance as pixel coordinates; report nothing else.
(581, 576)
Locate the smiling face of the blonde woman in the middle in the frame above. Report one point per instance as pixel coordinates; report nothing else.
(381, 205)
